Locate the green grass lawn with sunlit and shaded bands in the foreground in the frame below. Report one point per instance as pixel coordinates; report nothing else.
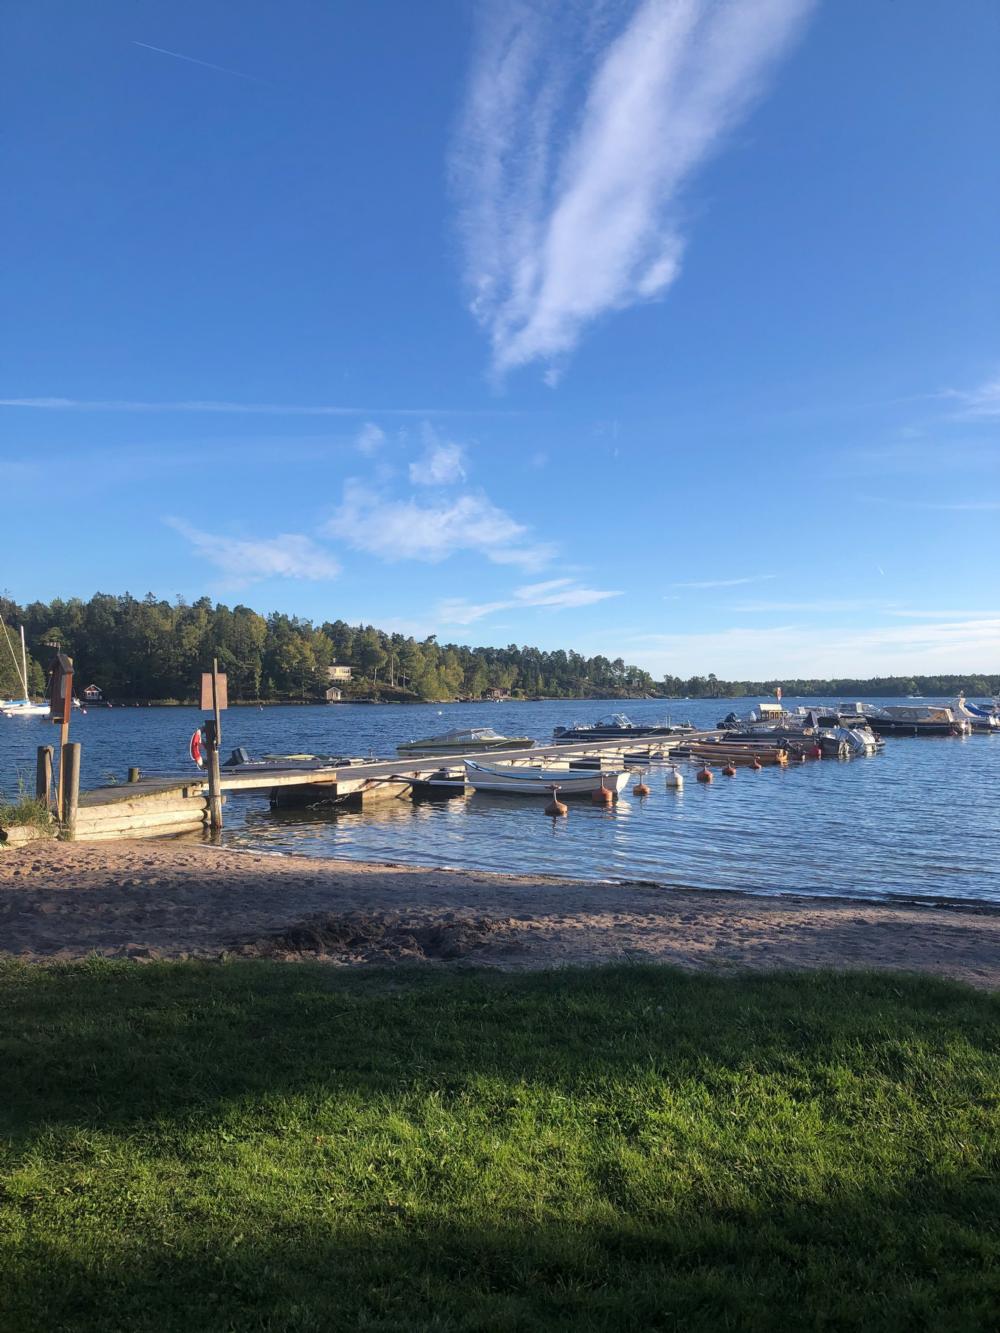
(297, 1147)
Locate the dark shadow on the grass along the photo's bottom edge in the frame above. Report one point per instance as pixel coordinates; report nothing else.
(882, 1263)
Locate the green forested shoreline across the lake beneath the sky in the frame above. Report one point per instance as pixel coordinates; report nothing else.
(154, 651)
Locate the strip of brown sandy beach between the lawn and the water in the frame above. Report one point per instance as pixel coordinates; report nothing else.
(174, 900)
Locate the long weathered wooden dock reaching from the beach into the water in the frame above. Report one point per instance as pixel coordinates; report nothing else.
(169, 806)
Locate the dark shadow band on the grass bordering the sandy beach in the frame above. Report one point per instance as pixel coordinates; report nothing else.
(114, 1044)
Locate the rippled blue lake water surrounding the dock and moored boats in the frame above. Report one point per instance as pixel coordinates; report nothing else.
(922, 819)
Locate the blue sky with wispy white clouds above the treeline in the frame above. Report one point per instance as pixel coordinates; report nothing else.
(665, 330)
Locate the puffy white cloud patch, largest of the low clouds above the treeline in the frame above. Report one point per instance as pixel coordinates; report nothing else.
(409, 530)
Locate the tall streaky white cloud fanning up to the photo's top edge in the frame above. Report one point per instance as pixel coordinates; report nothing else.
(575, 145)
